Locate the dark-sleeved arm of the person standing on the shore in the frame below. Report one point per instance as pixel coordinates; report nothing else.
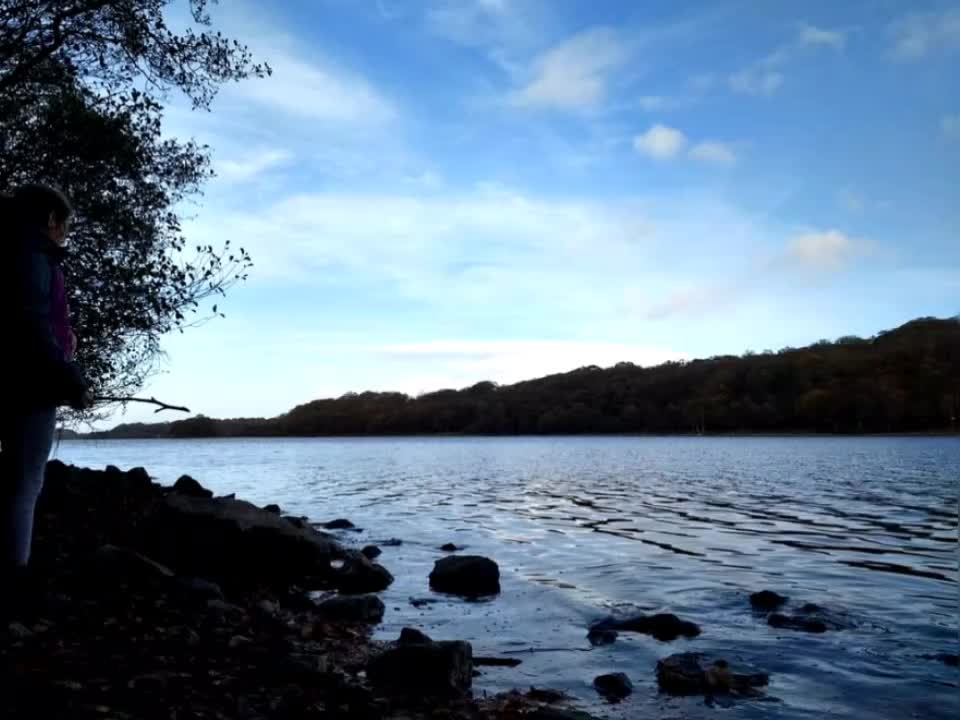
(32, 311)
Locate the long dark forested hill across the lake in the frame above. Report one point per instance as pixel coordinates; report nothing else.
(903, 380)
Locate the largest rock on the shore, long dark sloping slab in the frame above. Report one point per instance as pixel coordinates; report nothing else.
(236, 543)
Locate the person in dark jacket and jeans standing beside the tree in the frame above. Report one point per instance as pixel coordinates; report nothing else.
(39, 368)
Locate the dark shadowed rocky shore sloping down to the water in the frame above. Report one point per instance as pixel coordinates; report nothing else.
(166, 602)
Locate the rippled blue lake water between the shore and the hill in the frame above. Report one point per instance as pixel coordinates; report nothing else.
(582, 527)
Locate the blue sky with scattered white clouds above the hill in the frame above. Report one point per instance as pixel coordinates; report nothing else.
(441, 192)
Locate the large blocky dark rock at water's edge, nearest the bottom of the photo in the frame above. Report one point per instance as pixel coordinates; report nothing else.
(424, 669)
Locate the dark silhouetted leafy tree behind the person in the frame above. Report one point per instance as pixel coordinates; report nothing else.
(82, 85)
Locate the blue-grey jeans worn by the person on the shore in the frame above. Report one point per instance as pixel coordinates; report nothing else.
(26, 438)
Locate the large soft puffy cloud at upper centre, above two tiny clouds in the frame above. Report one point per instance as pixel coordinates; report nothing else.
(574, 74)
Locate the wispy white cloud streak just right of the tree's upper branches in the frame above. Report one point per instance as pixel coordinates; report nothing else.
(315, 91)
